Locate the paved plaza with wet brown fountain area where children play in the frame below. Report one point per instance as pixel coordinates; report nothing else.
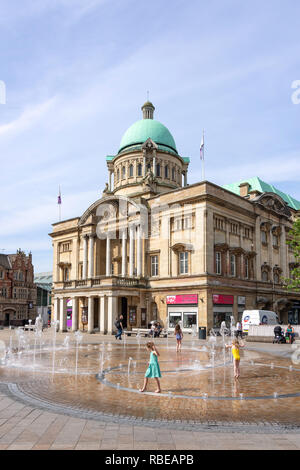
(200, 407)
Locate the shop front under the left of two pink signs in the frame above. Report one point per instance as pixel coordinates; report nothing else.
(183, 309)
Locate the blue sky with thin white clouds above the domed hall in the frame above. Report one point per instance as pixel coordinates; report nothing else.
(78, 71)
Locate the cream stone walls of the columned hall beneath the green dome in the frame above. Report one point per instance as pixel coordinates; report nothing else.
(153, 248)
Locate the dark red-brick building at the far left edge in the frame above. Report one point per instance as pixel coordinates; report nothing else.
(17, 289)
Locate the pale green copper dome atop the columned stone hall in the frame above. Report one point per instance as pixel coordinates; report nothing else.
(141, 130)
